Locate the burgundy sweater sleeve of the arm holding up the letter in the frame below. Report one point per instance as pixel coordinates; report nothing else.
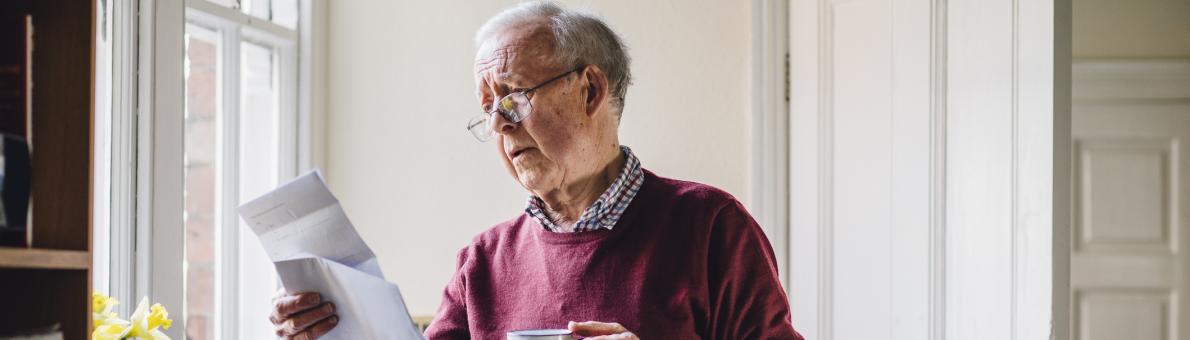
(450, 322)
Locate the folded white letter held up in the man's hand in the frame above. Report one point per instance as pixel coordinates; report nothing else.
(315, 248)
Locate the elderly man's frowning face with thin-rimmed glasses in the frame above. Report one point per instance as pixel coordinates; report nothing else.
(555, 144)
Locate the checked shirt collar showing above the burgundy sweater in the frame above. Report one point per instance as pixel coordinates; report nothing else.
(607, 210)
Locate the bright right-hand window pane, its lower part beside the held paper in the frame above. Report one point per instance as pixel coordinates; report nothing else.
(259, 173)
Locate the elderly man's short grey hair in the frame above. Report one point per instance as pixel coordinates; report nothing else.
(580, 39)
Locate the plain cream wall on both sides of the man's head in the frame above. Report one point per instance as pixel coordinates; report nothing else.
(419, 187)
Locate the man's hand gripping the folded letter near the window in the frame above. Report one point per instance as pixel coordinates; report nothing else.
(303, 316)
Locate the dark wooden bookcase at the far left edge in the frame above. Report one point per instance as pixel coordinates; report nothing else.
(49, 282)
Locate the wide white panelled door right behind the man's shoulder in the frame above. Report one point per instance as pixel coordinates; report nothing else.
(923, 159)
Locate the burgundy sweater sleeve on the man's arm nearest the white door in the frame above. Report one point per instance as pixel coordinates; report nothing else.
(747, 298)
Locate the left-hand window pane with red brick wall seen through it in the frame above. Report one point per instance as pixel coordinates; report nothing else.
(203, 119)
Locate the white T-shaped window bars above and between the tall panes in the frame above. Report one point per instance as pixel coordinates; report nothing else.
(235, 28)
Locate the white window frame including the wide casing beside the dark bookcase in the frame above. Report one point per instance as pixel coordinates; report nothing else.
(141, 200)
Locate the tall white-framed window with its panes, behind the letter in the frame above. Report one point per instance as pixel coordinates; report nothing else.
(239, 144)
